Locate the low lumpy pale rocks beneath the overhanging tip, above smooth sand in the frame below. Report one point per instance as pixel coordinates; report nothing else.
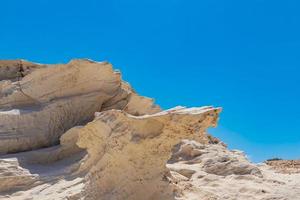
(212, 159)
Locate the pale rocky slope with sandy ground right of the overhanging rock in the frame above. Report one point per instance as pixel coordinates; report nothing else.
(211, 171)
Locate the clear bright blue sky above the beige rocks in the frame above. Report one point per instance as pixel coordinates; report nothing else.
(241, 55)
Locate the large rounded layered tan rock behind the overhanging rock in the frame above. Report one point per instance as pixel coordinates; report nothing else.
(38, 108)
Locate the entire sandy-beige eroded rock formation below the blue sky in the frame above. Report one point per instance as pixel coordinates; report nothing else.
(77, 131)
